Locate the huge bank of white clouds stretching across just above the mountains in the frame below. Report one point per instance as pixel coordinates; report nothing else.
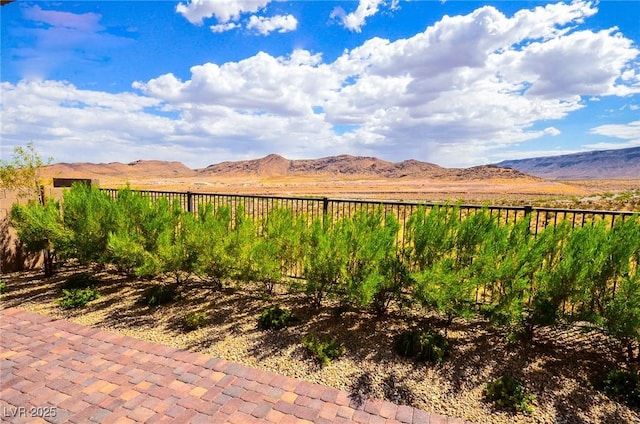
(452, 94)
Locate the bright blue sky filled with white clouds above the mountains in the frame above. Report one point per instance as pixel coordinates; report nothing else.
(456, 83)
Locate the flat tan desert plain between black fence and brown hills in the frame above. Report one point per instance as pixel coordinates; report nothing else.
(589, 194)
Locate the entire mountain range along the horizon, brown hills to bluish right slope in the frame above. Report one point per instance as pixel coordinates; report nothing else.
(607, 164)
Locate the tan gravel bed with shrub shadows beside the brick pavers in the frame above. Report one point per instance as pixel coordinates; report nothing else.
(558, 367)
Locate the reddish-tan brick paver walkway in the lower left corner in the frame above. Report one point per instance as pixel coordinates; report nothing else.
(58, 371)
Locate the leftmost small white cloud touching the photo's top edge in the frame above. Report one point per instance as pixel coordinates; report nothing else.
(224, 10)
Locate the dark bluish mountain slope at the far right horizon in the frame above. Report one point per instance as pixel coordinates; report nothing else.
(601, 164)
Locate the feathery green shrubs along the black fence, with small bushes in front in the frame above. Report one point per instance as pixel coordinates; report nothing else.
(457, 269)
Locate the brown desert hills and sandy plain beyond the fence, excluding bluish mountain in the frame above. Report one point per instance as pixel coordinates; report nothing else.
(353, 177)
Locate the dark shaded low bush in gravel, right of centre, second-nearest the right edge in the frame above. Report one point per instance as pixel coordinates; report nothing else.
(423, 345)
